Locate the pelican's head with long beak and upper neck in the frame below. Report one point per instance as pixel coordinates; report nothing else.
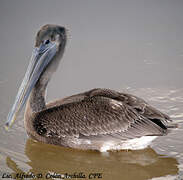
(48, 50)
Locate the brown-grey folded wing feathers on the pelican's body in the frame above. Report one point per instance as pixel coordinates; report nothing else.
(99, 113)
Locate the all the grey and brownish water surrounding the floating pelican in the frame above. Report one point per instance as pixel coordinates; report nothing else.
(126, 46)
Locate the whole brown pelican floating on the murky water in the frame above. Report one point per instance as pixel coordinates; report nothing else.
(99, 119)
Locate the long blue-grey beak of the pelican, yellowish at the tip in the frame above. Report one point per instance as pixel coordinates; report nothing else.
(41, 57)
